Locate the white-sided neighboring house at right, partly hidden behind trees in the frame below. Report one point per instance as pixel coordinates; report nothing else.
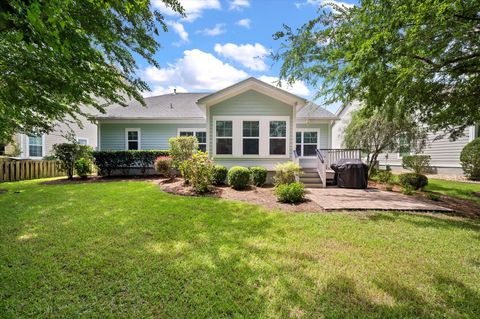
(445, 154)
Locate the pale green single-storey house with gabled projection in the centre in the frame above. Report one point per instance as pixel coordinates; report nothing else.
(250, 123)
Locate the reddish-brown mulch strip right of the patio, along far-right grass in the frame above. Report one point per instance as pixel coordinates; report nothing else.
(462, 207)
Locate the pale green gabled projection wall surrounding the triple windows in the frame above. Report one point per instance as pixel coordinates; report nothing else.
(251, 104)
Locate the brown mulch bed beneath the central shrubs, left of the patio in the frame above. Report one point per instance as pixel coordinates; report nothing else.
(254, 195)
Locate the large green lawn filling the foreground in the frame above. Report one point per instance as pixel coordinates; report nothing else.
(126, 249)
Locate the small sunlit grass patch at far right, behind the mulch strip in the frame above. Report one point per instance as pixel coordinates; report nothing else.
(456, 189)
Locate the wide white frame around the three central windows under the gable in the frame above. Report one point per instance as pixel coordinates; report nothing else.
(237, 133)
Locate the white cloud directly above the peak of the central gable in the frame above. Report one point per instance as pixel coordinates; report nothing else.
(251, 56)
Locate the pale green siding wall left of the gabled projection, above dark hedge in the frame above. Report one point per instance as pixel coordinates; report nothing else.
(152, 136)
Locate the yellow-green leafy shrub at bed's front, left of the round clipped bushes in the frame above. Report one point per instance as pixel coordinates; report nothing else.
(200, 172)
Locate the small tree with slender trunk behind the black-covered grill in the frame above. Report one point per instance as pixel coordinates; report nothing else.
(376, 133)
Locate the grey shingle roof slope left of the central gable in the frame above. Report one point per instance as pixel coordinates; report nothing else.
(179, 105)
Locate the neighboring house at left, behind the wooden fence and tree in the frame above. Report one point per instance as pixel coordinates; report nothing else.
(37, 147)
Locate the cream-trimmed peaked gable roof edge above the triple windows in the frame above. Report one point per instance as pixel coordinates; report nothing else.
(251, 84)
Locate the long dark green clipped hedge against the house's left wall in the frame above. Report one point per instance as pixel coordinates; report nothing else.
(109, 161)
